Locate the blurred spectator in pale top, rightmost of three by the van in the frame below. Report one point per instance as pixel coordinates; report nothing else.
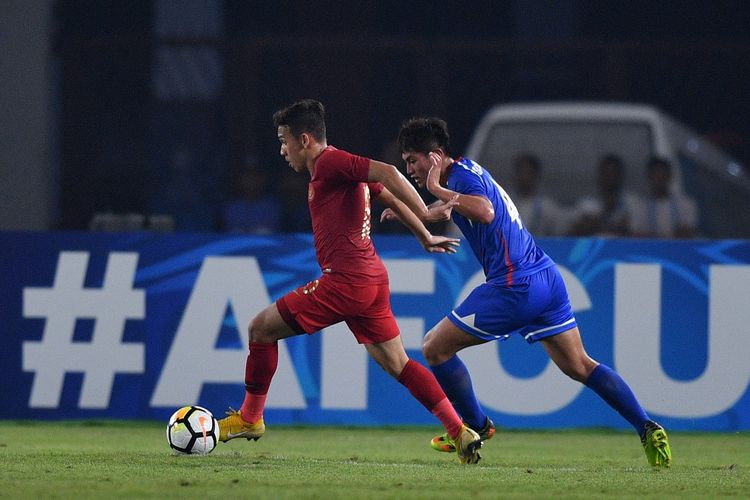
(664, 213)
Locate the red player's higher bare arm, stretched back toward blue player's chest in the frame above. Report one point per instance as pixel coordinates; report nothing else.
(396, 183)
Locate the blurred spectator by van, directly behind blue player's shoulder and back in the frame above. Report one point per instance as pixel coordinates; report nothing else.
(540, 213)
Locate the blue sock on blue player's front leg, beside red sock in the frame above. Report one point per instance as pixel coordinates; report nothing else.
(455, 380)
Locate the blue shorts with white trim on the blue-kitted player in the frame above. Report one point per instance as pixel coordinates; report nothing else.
(536, 306)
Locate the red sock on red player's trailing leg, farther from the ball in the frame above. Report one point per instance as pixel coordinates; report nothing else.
(425, 388)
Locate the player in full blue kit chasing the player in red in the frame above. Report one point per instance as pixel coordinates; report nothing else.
(524, 292)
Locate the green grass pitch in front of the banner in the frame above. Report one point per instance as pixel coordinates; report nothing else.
(132, 460)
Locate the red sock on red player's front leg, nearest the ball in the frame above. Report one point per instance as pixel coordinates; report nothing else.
(259, 370)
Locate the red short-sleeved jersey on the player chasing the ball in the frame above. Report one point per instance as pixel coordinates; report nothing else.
(339, 198)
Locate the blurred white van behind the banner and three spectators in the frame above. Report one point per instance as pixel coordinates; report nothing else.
(570, 137)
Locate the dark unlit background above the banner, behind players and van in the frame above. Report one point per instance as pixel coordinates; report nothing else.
(162, 104)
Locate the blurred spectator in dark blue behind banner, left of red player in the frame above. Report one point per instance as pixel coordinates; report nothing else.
(253, 207)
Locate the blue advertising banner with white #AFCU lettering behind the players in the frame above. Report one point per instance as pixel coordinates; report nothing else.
(133, 325)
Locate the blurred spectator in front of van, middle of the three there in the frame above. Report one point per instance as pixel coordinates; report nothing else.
(610, 211)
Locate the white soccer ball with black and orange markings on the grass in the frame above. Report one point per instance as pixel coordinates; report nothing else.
(192, 430)
